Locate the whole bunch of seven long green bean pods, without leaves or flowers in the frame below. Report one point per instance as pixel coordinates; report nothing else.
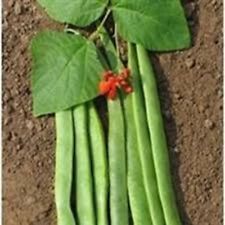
(124, 178)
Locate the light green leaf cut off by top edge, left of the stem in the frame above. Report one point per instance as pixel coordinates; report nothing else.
(77, 12)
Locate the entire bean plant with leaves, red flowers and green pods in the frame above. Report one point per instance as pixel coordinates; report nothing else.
(119, 175)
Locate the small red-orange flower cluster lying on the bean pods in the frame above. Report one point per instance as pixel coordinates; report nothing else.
(111, 82)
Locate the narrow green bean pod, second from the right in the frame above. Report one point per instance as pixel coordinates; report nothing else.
(144, 142)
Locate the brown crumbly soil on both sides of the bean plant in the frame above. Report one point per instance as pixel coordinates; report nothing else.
(190, 84)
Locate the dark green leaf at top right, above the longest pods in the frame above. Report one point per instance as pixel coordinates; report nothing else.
(156, 24)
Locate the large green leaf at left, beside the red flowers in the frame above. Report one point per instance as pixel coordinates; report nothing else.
(66, 71)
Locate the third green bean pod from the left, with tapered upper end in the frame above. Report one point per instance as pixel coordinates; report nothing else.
(99, 165)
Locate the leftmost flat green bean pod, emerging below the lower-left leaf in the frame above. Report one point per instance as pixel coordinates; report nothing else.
(64, 167)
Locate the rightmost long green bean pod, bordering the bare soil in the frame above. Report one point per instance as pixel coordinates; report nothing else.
(158, 139)
